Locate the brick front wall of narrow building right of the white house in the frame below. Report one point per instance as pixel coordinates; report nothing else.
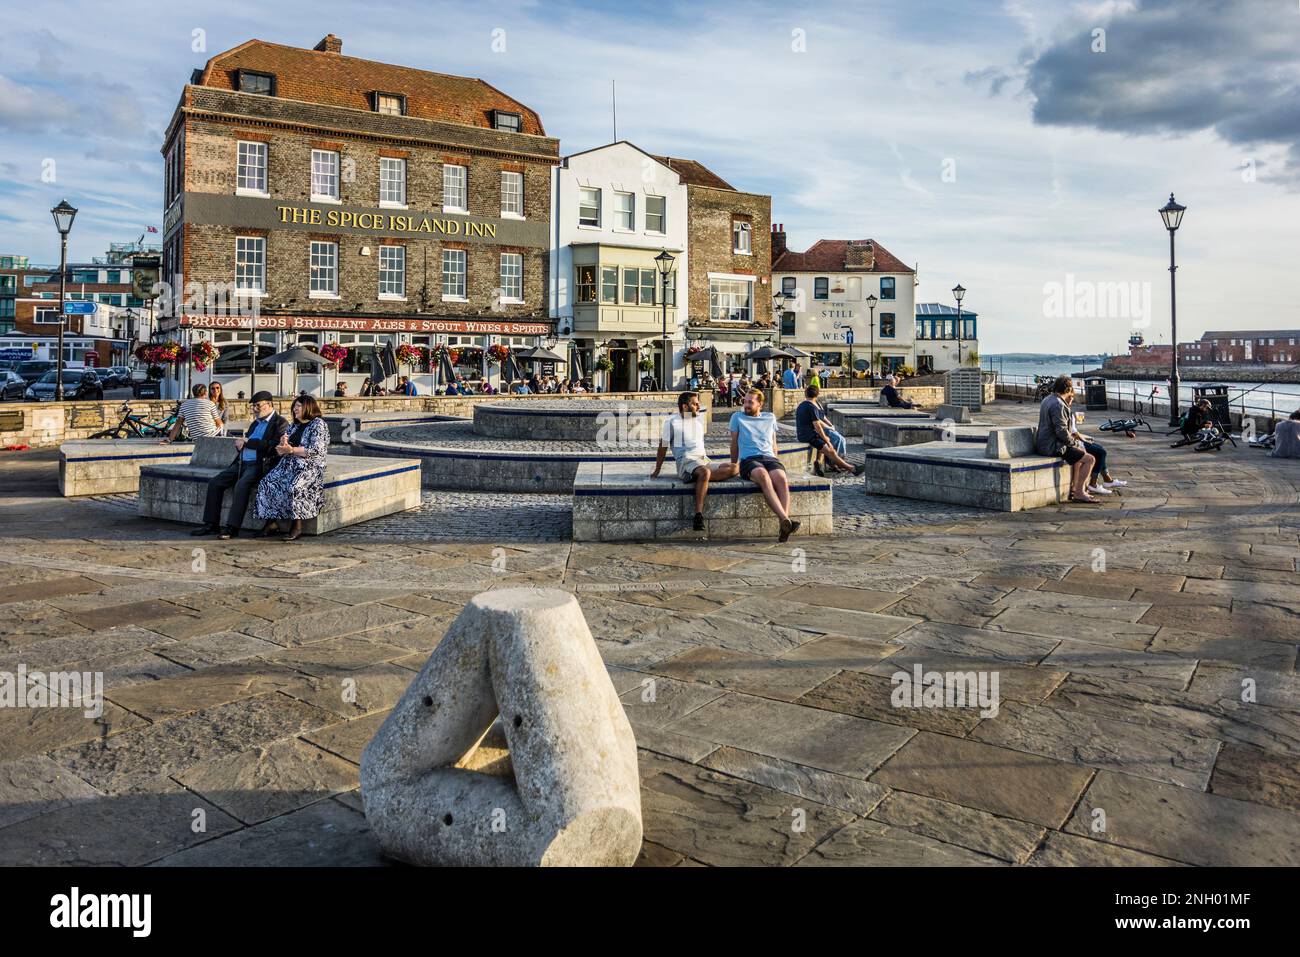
(710, 216)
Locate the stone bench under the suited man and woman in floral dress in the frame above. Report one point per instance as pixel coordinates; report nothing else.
(357, 488)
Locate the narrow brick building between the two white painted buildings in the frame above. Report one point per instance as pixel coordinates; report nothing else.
(729, 280)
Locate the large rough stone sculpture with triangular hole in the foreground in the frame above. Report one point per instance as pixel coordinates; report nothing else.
(575, 795)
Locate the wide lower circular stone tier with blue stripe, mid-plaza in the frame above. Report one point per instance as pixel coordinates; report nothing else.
(454, 457)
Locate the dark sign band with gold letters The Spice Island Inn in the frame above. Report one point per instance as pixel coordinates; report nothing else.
(254, 213)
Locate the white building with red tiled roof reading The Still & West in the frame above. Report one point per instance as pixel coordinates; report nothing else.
(829, 289)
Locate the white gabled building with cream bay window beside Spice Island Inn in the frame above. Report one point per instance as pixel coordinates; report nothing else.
(613, 211)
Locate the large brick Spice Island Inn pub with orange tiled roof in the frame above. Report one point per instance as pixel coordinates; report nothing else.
(354, 203)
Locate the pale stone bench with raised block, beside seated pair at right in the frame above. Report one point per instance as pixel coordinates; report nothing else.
(1004, 475)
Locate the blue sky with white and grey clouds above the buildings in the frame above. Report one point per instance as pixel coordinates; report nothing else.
(1012, 148)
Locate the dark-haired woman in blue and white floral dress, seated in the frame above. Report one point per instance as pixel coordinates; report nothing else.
(296, 487)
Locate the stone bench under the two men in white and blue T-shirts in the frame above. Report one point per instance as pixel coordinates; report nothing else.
(622, 503)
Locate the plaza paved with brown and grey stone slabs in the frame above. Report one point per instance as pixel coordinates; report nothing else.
(1146, 651)
